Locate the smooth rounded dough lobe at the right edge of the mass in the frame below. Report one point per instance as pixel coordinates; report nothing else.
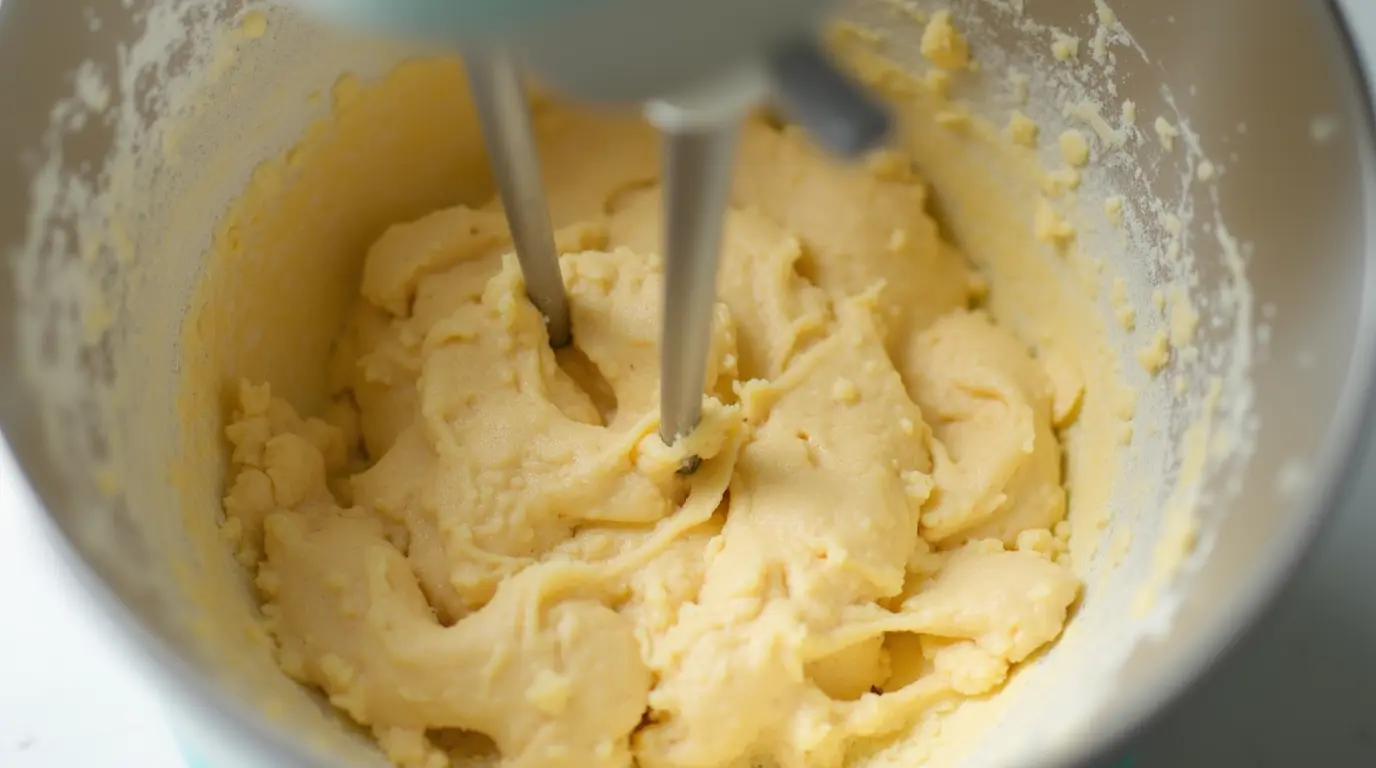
(990, 405)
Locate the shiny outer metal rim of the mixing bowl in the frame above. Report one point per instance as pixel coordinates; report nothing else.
(1334, 480)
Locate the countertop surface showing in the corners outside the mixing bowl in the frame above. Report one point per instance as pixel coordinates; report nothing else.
(1302, 690)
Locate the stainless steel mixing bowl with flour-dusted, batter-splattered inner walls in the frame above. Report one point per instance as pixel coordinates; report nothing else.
(97, 281)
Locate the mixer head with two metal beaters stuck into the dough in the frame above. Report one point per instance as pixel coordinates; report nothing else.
(698, 68)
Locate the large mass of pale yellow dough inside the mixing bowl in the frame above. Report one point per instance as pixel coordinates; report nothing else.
(485, 536)
